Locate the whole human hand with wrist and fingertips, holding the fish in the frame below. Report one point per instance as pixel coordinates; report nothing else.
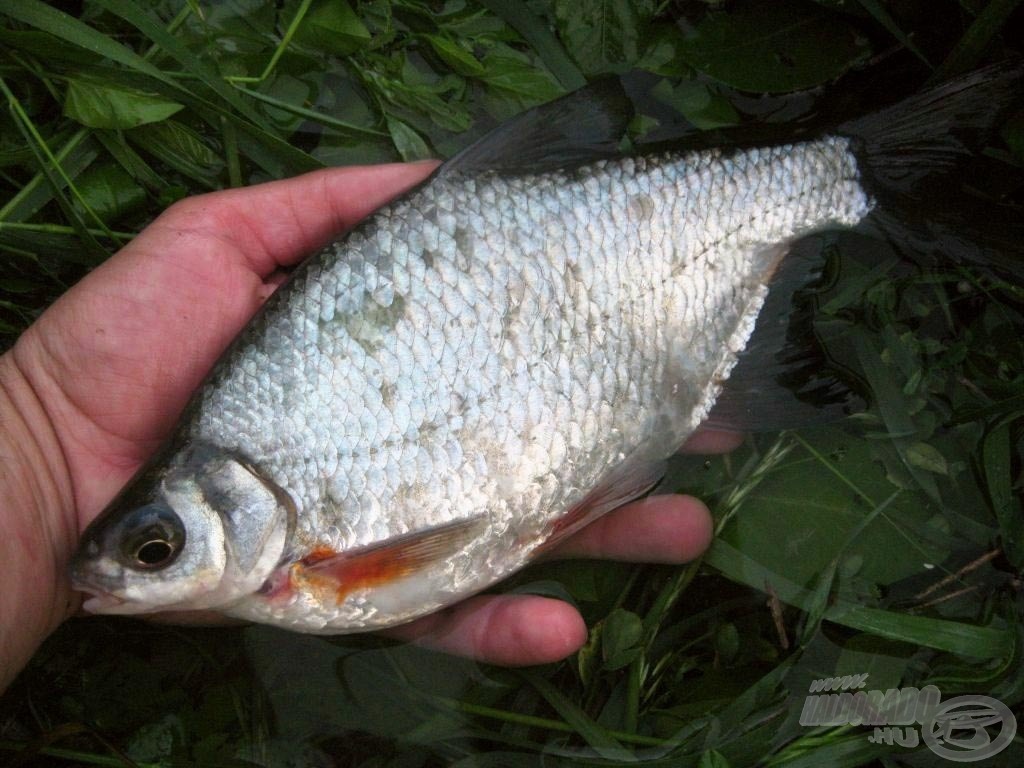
(96, 386)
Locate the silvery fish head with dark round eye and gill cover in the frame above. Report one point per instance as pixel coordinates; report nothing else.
(204, 532)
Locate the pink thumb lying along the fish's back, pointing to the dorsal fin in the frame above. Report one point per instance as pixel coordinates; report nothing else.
(277, 224)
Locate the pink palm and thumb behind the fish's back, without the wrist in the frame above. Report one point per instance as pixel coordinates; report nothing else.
(118, 357)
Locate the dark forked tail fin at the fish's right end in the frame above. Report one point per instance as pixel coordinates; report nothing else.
(913, 158)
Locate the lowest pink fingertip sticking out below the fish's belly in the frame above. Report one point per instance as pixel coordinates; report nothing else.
(507, 630)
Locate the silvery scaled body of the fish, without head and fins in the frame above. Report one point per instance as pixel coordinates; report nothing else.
(574, 353)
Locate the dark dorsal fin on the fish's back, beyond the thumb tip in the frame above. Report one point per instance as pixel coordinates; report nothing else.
(583, 126)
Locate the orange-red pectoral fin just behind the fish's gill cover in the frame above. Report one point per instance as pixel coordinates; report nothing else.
(385, 562)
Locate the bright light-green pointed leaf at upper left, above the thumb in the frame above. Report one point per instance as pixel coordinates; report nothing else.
(105, 106)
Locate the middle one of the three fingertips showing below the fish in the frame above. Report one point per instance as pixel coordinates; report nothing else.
(659, 529)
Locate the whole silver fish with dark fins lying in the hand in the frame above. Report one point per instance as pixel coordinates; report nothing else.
(505, 354)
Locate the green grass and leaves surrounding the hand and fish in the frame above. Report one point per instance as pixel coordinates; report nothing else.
(889, 544)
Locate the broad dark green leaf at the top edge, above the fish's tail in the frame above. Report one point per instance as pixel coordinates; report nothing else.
(775, 48)
